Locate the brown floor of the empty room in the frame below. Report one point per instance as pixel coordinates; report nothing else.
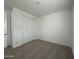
(39, 49)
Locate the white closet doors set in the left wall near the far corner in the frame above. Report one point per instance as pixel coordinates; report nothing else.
(26, 29)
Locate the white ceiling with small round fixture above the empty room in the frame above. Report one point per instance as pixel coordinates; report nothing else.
(39, 7)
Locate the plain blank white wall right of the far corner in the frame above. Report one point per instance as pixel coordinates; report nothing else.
(57, 27)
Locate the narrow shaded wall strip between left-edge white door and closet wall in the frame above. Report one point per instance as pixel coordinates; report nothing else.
(8, 26)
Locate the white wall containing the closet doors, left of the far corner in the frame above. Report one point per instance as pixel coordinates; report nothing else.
(23, 26)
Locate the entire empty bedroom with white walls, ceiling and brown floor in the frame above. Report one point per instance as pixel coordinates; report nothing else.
(38, 29)
